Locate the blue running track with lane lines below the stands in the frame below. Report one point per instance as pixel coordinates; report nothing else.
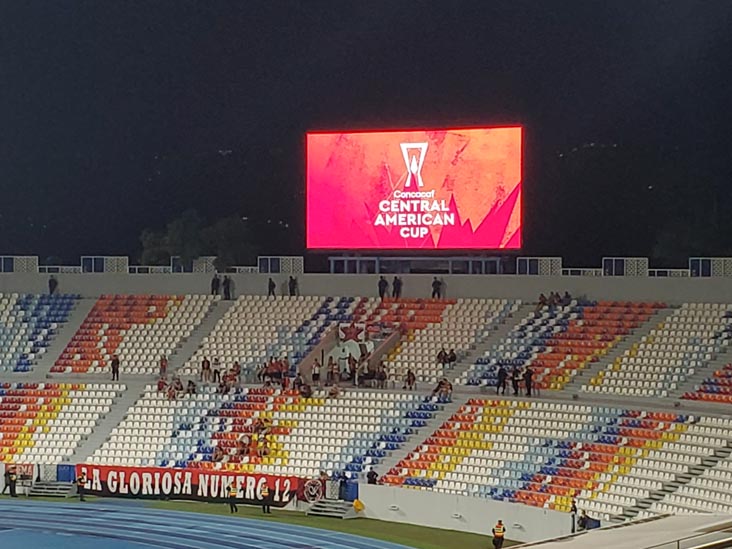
(113, 526)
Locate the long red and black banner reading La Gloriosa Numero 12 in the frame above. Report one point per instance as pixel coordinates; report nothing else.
(188, 484)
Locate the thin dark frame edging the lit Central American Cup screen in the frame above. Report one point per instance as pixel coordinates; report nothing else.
(375, 251)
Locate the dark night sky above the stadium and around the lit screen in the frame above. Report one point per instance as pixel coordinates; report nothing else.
(112, 113)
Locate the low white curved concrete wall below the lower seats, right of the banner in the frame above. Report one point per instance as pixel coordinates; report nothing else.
(463, 513)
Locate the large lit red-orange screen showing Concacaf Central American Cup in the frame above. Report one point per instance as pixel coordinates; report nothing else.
(415, 190)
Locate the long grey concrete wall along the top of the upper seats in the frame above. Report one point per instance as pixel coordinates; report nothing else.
(671, 290)
